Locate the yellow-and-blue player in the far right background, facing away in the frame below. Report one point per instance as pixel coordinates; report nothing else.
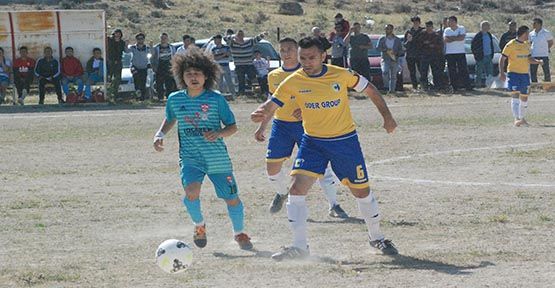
(517, 52)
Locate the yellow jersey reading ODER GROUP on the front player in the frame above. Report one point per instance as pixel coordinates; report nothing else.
(323, 99)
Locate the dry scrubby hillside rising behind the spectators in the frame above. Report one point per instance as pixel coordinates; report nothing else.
(202, 18)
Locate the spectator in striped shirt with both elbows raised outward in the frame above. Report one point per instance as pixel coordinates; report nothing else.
(243, 53)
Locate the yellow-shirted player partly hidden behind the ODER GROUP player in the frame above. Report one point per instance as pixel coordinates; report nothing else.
(287, 132)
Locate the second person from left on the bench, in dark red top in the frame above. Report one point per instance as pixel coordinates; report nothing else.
(23, 74)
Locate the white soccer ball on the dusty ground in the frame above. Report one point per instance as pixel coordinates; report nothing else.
(174, 256)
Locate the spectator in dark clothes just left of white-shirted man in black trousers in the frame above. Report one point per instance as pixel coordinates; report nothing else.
(430, 44)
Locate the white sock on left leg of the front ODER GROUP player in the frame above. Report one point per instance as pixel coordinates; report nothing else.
(297, 212)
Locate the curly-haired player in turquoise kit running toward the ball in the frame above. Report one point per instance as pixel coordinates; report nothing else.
(200, 113)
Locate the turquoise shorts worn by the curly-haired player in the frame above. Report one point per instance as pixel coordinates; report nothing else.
(224, 183)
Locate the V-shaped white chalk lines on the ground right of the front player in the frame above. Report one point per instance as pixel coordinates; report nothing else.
(459, 183)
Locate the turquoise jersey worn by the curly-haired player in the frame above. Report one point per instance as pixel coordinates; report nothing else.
(195, 116)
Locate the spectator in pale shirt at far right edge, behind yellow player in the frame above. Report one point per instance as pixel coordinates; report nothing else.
(542, 41)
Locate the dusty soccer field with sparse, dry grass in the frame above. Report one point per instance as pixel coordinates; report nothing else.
(467, 198)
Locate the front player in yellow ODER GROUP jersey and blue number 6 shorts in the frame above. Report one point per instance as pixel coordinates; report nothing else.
(330, 136)
